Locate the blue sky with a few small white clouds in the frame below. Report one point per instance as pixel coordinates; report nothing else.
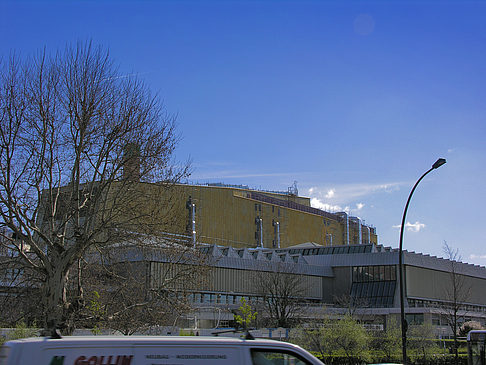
(354, 100)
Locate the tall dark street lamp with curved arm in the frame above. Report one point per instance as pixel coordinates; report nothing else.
(404, 324)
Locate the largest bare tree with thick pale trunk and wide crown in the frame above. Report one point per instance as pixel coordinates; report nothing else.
(77, 138)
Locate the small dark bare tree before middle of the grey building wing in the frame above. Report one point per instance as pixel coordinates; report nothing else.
(282, 290)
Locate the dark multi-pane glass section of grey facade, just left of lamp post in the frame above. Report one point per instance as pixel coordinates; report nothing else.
(373, 286)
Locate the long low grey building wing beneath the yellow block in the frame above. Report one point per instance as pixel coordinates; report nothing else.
(363, 278)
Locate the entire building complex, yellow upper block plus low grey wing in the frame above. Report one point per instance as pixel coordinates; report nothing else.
(332, 260)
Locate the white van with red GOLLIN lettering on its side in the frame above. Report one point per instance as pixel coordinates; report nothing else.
(144, 350)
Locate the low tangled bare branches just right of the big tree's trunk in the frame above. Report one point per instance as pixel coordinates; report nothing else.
(130, 292)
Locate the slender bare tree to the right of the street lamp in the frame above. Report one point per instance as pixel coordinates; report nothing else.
(456, 292)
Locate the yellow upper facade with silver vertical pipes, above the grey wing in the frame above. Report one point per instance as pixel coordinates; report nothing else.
(241, 217)
